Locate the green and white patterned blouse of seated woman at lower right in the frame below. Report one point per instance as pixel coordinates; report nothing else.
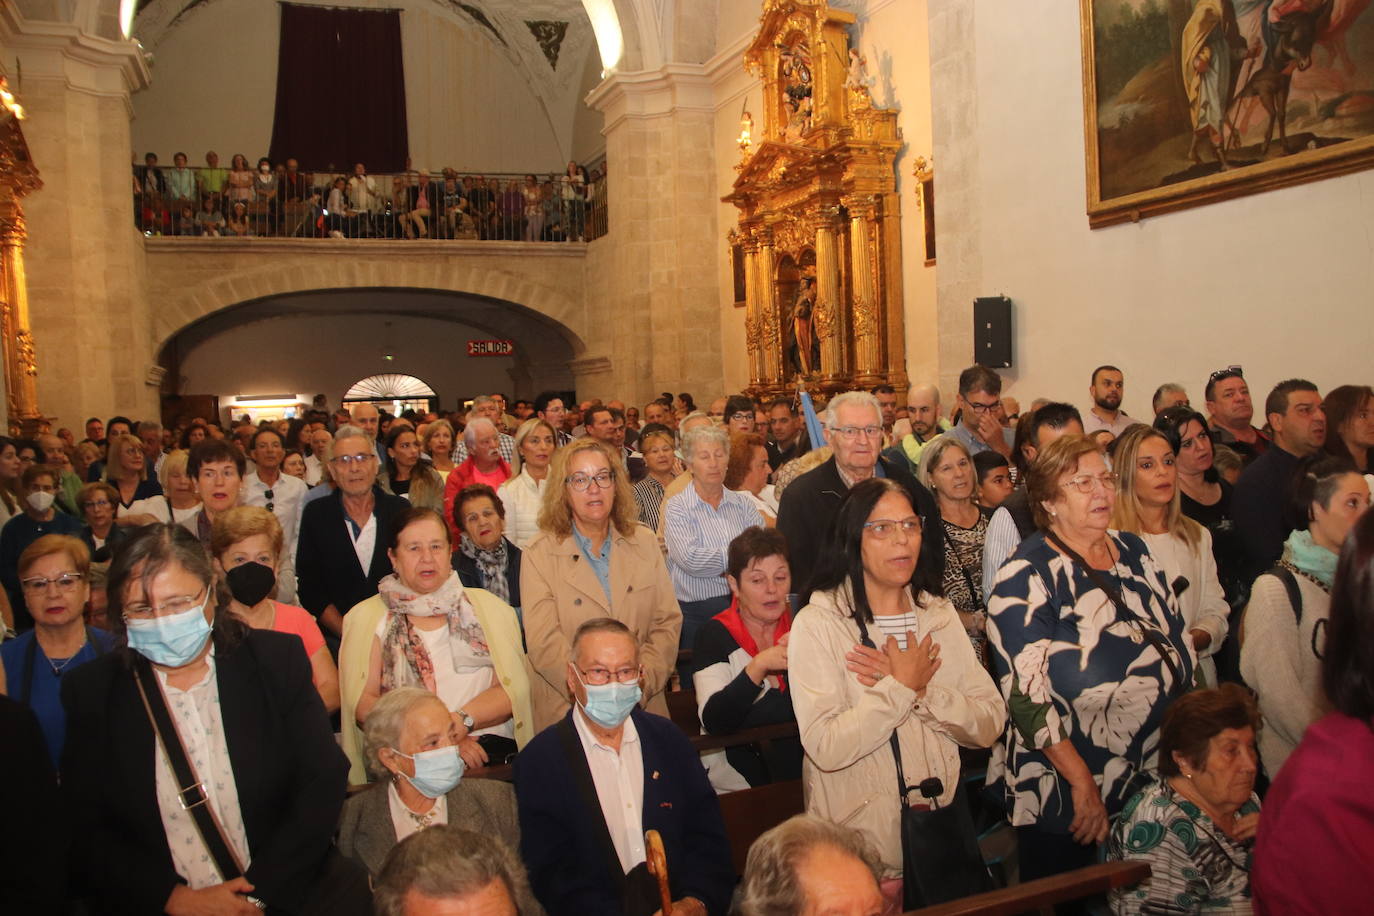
(1195, 866)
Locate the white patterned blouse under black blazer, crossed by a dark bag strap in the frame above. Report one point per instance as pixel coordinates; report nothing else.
(197, 716)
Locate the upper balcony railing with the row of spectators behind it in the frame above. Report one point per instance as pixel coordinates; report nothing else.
(205, 203)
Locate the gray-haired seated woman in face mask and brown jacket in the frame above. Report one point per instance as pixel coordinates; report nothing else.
(412, 749)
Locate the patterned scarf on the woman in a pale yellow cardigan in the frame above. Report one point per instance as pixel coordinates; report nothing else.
(405, 659)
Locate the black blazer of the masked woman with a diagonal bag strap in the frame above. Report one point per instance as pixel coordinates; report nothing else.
(289, 772)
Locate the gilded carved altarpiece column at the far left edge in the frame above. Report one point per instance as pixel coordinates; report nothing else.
(17, 179)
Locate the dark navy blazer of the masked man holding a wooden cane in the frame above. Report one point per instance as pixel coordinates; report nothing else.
(568, 849)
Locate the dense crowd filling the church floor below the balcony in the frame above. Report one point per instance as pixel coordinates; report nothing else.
(1136, 641)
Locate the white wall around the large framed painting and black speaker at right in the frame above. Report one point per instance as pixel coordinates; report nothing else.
(1281, 282)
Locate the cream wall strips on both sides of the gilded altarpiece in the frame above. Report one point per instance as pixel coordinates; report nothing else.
(894, 36)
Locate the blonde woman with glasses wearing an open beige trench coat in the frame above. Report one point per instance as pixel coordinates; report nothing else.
(594, 560)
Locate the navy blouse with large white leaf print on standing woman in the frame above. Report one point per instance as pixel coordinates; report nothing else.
(1072, 667)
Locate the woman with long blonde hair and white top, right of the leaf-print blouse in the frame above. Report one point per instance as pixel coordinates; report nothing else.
(1149, 505)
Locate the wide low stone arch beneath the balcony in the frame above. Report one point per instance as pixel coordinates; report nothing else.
(179, 306)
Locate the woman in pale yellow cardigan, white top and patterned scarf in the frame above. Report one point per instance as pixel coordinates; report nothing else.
(435, 637)
